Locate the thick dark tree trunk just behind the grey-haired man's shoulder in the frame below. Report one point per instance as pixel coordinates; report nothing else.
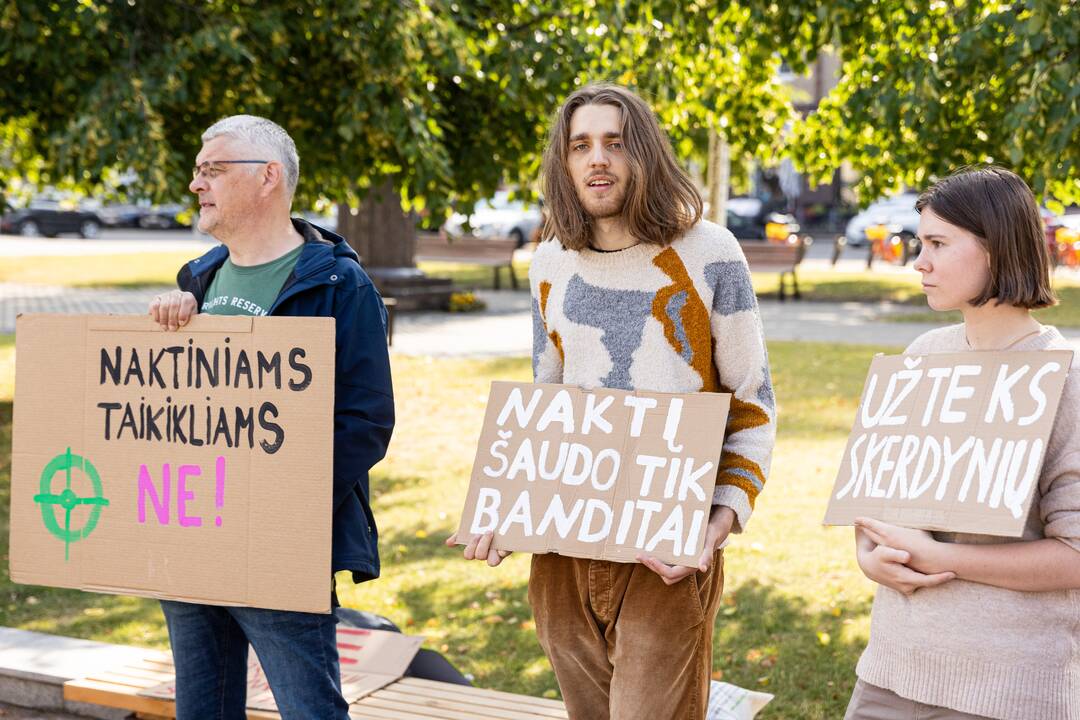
(383, 235)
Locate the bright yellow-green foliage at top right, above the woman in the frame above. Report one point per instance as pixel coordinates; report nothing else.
(929, 87)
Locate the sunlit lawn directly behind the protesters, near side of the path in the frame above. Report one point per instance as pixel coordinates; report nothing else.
(795, 613)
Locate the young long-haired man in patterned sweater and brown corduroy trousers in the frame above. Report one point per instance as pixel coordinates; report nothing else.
(633, 291)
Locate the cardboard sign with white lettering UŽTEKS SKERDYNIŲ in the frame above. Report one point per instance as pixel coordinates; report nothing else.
(951, 442)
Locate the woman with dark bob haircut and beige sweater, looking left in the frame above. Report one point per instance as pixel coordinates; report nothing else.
(967, 626)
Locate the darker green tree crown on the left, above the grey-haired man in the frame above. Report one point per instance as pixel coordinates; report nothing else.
(424, 92)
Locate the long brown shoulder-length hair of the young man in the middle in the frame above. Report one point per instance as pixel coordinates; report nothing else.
(660, 205)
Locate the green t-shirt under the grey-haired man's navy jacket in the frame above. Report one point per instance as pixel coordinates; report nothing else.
(249, 291)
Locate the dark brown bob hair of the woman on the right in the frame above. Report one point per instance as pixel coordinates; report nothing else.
(997, 207)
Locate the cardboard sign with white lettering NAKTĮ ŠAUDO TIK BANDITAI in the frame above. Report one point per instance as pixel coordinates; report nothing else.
(603, 473)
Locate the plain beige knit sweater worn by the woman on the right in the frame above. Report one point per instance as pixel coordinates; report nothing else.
(987, 650)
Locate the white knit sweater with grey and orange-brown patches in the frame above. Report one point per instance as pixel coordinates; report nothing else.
(674, 320)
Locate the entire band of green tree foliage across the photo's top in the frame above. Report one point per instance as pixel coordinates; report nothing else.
(451, 98)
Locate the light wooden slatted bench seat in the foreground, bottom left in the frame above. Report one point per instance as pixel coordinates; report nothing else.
(406, 699)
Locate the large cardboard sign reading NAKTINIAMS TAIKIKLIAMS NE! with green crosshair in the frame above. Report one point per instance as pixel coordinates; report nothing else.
(194, 466)
